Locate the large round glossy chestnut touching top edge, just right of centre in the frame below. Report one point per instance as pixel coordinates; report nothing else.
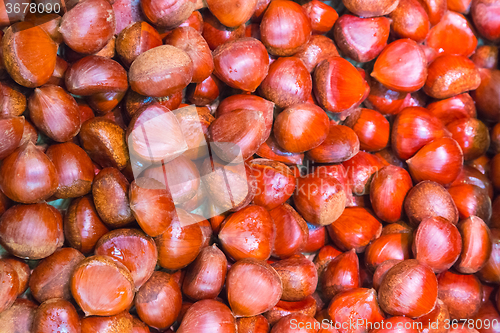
(284, 28)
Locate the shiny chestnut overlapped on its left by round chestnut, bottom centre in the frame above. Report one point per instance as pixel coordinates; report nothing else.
(298, 276)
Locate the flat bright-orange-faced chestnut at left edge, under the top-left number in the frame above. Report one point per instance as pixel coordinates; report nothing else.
(29, 66)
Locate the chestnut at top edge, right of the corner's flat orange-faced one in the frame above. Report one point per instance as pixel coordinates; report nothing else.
(88, 26)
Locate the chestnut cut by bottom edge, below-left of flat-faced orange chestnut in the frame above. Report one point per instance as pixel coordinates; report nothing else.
(54, 315)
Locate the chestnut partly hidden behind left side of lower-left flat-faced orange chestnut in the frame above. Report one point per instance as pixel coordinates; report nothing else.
(51, 278)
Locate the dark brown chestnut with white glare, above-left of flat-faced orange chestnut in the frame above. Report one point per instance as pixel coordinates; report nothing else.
(82, 225)
